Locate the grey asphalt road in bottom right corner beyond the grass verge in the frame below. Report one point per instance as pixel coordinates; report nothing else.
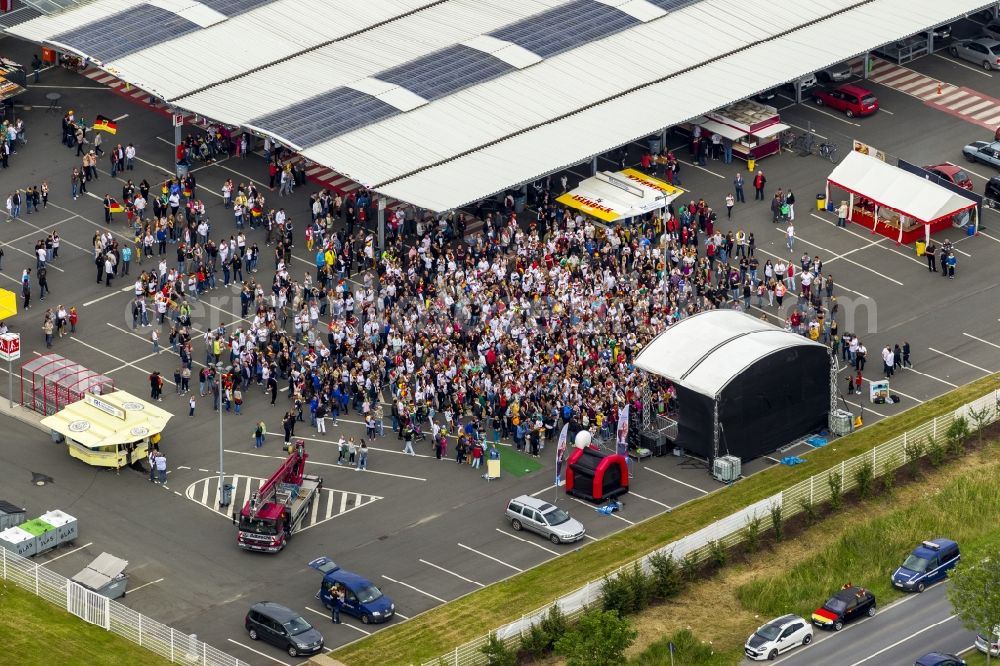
(897, 635)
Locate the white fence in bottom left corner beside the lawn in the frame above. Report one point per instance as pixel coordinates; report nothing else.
(178, 647)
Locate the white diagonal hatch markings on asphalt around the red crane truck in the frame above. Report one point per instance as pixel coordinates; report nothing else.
(328, 505)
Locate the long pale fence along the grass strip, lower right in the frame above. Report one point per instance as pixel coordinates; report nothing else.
(732, 529)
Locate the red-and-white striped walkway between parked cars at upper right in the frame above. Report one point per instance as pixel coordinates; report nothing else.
(969, 105)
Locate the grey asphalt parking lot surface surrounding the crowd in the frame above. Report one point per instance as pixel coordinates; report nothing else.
(426, 531)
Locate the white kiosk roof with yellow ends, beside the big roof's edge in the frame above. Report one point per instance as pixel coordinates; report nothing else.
(622, 195)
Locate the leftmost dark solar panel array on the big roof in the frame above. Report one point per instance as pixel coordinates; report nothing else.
(126, 32)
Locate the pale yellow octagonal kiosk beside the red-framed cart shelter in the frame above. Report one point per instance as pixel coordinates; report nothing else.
(109, 430)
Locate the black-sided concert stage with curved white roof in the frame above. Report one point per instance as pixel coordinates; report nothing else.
(744, 387)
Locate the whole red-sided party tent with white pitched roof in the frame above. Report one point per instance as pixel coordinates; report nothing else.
(894, 202)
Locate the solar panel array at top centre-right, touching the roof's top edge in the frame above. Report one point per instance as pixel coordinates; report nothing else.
(565, 27)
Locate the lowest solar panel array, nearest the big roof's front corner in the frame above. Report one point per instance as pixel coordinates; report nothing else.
(323, 116)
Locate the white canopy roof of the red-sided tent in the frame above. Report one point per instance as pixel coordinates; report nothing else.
(896, 189)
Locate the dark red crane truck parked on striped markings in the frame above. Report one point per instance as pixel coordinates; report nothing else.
(276, 509)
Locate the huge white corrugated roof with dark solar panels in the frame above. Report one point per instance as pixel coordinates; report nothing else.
(441, 103)
